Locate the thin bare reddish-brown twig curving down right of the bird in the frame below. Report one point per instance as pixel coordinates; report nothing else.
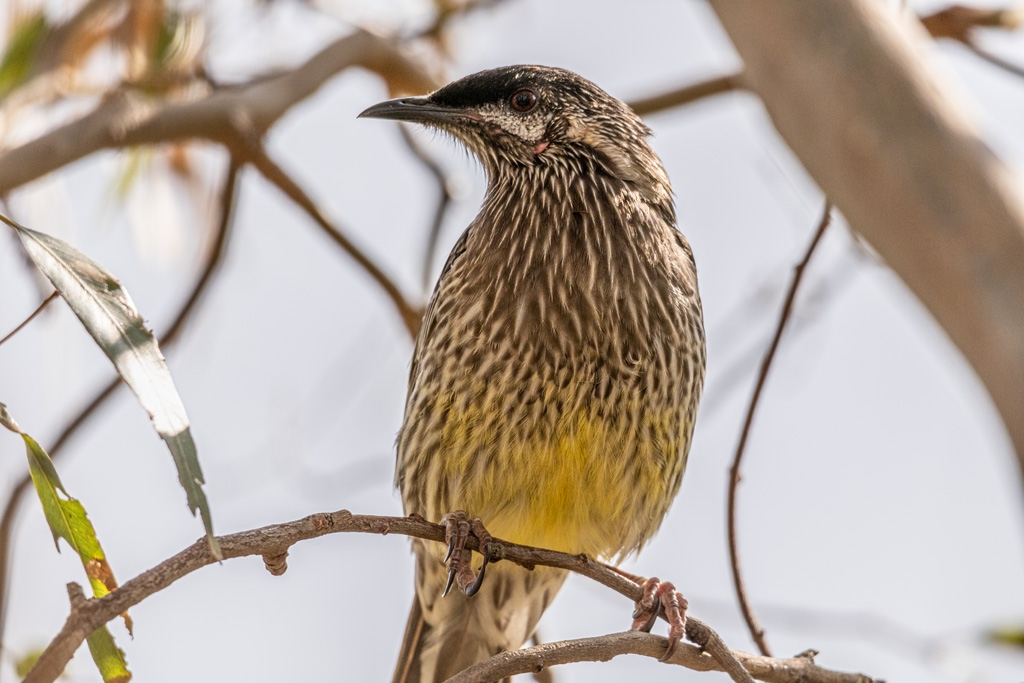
(757, 632)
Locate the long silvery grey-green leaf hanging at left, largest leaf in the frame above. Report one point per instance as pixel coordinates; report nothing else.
(110, 316)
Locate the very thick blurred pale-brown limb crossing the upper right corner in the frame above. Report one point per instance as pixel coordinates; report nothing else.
(852, 90)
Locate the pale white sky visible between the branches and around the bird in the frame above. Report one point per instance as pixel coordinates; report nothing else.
(881, 517)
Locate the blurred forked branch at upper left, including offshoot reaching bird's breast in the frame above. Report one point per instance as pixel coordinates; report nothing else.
(236, 118)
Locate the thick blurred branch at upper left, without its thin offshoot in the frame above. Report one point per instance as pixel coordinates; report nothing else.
(127, 119)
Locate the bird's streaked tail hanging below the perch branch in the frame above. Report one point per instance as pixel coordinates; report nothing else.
(446, 636)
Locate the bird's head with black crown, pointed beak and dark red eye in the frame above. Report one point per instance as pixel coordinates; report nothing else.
(523, 116)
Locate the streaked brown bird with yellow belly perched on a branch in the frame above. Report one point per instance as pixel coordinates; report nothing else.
(554, 383)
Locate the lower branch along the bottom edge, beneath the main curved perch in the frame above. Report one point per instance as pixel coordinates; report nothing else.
(800, 669)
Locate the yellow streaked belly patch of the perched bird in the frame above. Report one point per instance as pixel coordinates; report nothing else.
(589, 489)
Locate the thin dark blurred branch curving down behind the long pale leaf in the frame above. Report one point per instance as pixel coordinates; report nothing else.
(215, 260)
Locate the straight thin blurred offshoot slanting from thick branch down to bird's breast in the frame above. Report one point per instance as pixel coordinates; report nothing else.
(257, 155)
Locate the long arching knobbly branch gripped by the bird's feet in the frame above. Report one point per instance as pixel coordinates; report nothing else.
(274, 542)
